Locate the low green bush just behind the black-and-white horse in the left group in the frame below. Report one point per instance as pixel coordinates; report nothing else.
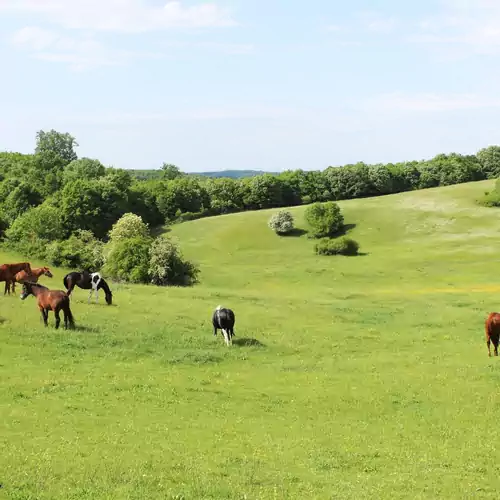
(81, 251)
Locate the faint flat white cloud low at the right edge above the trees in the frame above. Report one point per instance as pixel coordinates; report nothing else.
(430, 102)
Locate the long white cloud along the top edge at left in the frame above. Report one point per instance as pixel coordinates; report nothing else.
(129, 16)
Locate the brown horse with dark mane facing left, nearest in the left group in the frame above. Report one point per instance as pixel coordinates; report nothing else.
(49, 300)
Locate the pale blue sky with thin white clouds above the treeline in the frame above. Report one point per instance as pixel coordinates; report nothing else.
(251, 84)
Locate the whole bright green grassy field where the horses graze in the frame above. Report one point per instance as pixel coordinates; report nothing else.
(350, 377)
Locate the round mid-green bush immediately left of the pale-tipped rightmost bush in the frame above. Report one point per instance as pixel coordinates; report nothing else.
(128, 260)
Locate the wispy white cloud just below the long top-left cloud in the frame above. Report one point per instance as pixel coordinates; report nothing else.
(79, 53)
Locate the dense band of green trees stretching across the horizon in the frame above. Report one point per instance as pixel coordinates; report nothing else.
(52, 196)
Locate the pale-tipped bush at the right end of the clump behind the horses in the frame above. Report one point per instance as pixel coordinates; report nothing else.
(168, 267)
